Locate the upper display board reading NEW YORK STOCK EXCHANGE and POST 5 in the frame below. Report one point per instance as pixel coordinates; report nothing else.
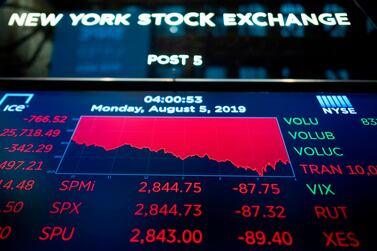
(189, 39)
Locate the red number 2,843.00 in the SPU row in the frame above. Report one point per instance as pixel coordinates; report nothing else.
(170, 236)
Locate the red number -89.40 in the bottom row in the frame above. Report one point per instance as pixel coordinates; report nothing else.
(260, 238)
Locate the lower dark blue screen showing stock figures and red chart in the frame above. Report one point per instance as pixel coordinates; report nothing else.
(187, 171)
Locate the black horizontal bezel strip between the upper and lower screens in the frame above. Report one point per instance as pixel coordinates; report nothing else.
(209, 85)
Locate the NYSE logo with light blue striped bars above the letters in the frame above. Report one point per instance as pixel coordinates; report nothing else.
(335, 104)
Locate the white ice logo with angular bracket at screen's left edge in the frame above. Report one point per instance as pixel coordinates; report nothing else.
(8, 102)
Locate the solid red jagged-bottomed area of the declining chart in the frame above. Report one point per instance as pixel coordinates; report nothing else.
(252, 144)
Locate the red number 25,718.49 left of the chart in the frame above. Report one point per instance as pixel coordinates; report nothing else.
(27, 132)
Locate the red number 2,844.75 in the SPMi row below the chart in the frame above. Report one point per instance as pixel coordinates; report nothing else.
(170, 187)
